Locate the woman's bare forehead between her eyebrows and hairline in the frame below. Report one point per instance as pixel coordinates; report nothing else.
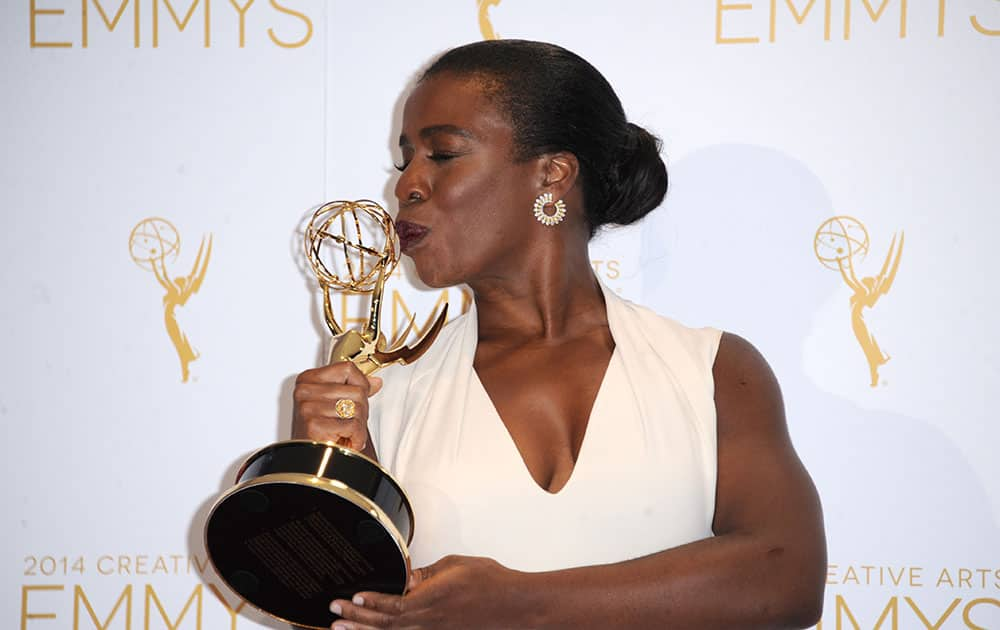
(449, 101)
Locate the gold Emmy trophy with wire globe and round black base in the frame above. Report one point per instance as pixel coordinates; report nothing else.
(308, 522)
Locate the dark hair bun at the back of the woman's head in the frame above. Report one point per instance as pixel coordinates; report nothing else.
(637, 179)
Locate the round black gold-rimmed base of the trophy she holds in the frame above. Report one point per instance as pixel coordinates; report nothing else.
(291, 542)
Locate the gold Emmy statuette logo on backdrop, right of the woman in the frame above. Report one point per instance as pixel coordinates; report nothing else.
(840, 243)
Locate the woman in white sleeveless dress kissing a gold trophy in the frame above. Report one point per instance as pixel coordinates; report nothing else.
(574, 460)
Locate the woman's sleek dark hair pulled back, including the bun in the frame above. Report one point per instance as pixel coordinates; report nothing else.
(556, 101)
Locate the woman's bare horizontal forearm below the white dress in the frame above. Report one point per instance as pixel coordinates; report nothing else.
(731, 581)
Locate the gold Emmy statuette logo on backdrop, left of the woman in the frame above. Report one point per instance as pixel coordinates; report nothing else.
(152, 243)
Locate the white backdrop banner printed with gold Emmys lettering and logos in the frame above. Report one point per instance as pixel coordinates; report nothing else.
(834, 199)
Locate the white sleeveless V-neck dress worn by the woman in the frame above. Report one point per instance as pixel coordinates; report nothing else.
(644, 479)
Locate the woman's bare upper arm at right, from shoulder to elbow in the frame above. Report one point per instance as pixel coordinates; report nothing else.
(763, 489)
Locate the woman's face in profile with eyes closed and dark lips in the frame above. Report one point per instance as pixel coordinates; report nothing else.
(464, 203)
